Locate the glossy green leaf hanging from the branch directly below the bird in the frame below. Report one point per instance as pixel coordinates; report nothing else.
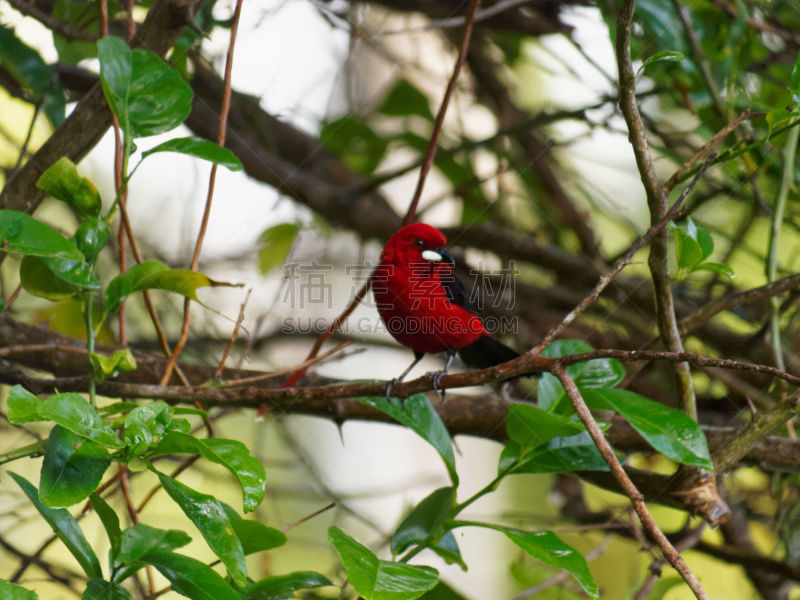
(418, 414)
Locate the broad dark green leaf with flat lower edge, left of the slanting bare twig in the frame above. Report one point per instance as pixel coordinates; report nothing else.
(559, 455)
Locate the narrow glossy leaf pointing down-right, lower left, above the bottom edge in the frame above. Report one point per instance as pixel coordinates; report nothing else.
(208, 515)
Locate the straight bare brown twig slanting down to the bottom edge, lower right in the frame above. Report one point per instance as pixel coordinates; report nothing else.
(636, 498)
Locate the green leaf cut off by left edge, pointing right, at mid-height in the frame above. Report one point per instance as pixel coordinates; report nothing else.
(22, 234)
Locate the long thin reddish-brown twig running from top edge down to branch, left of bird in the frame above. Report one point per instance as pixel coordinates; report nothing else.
(221, 134)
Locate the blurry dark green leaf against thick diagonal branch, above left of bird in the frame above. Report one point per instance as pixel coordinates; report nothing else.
(355, 143)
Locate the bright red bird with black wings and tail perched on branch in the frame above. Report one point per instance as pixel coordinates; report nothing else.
(425, 307)
